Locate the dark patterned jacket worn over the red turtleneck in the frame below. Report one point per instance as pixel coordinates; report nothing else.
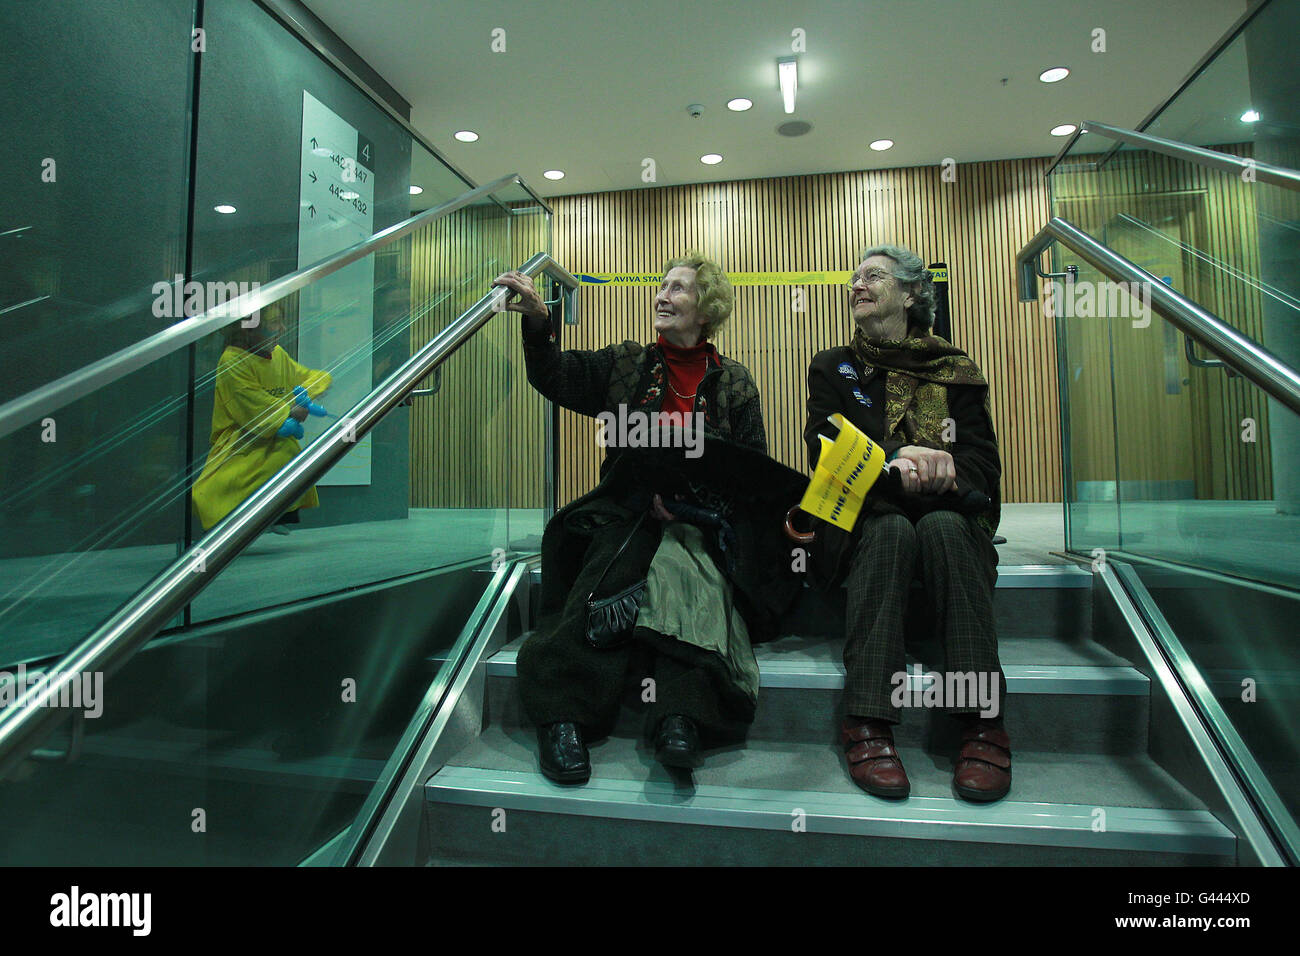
(636, 377)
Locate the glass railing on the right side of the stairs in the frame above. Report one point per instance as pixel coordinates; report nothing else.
(1175, 466)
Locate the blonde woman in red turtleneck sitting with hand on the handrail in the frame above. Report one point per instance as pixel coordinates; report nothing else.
(683, 641)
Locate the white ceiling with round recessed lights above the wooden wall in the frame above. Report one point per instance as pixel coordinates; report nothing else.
(596, 88)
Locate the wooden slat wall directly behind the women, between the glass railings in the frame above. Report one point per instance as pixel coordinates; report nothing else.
(977, 224)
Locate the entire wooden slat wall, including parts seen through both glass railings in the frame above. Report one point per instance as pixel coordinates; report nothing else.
(480, 443)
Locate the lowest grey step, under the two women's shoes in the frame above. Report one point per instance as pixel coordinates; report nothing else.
(742, 808)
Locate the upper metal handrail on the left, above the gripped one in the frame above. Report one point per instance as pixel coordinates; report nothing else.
(40, 403)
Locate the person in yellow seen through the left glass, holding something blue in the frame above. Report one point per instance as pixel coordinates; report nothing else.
(252, 414)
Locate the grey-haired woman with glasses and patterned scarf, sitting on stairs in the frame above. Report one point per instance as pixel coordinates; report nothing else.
(926, 403)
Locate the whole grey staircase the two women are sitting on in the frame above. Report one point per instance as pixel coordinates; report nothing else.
(1085, 791)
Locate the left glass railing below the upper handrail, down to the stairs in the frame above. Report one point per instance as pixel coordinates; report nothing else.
(279, 707)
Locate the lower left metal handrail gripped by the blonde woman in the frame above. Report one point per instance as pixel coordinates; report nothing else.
(119, 638)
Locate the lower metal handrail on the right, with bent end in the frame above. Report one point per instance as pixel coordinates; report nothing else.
(1247, 357)
